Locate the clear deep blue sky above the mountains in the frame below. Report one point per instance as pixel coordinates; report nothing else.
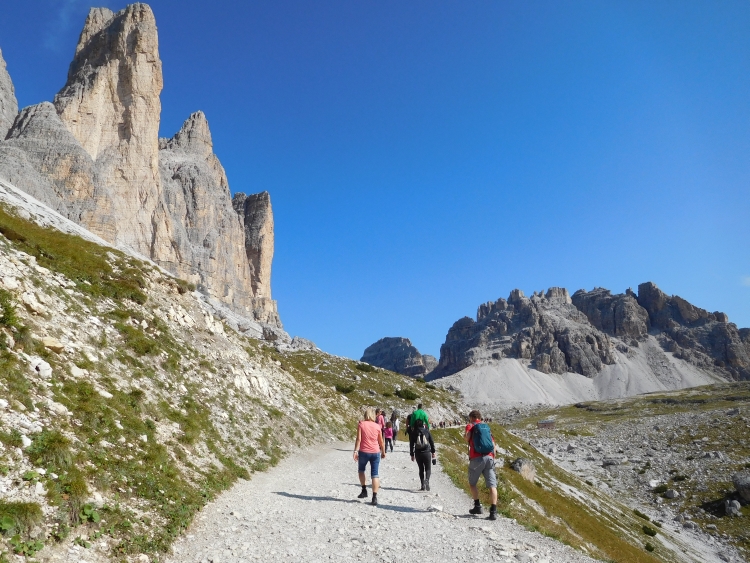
(424, 157)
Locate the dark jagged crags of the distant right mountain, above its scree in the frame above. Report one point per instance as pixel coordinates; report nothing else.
(555, 333)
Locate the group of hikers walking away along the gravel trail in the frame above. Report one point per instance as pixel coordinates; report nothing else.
(375, 435)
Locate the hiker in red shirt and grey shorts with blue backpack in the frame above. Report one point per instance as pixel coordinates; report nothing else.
(481, 461)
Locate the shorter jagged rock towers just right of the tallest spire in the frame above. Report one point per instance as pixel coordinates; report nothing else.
(207, 238)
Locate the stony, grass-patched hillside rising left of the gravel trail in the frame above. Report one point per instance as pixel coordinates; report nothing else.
(128, 400)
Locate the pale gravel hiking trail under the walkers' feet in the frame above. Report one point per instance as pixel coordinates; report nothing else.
(306, 509)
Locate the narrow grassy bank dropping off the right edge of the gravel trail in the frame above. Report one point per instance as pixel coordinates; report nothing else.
(599, 526)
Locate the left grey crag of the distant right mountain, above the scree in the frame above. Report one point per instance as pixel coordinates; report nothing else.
(546, 329)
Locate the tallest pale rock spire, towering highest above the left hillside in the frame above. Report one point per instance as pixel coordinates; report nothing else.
(111, 105)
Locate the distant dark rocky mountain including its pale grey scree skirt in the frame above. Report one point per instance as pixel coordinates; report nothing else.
(554, 348)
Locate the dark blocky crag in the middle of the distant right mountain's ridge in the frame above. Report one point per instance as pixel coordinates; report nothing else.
(618, 315)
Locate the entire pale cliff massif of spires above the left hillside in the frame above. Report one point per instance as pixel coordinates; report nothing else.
(95, 157)
